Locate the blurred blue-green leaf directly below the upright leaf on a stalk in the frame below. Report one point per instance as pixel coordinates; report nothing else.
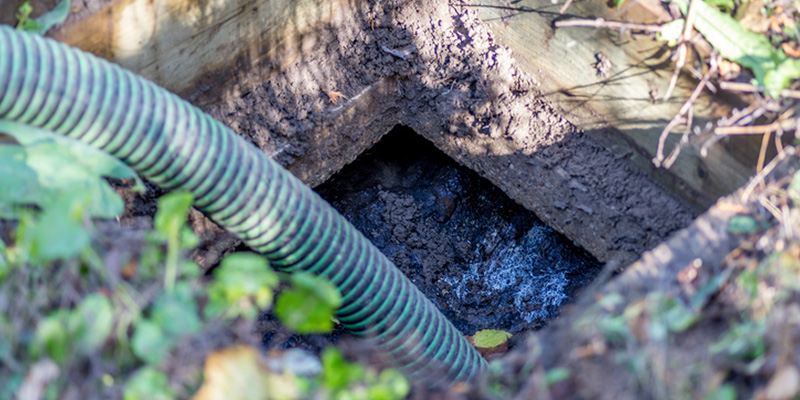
(176, 311)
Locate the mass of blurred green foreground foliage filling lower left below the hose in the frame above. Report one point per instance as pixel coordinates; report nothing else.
(55, 186)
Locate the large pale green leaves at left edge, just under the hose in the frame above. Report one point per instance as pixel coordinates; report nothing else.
(58, 180)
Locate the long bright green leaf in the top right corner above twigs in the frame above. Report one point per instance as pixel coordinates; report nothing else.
(773, 70)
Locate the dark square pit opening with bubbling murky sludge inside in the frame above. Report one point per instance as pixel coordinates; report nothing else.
(485, 261)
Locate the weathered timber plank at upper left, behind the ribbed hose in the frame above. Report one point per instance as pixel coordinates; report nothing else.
(194, 48)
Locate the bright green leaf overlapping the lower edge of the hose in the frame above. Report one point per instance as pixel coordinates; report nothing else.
(309, 305)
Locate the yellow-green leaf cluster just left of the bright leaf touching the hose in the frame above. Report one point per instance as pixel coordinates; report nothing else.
(243, 284)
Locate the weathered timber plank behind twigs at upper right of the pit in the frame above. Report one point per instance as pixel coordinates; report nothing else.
(622, 109)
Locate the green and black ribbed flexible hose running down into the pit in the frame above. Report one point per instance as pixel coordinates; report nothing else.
(49, 85)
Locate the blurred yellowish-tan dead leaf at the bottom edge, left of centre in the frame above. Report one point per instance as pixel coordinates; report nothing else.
(237, 373)
